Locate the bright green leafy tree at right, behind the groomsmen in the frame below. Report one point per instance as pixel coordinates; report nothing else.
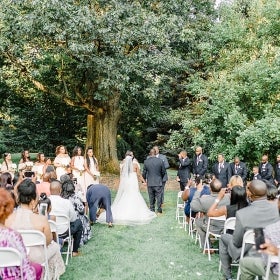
(236, 104)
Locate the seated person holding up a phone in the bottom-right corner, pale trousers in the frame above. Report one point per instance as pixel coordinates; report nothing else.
(251, 267)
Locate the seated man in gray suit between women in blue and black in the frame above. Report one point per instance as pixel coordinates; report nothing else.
(202, 204)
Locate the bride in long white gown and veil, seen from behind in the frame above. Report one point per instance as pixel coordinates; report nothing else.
(129, 207)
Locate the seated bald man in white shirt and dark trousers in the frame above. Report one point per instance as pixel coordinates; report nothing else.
(62, 206)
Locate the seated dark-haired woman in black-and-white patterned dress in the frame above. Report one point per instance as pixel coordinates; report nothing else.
(68, 192)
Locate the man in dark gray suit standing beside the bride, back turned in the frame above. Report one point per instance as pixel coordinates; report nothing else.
(154, 172)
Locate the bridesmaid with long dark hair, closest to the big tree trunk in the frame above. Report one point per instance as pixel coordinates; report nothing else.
(91, 168)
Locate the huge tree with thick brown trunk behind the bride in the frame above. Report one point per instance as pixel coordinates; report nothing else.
(98, 55)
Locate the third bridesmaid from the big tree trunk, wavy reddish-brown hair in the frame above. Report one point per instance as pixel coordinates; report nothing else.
(61, 161)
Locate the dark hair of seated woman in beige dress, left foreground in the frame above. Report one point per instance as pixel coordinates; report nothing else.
(26, 192)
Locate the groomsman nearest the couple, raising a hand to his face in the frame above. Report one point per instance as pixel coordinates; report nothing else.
(184, 171)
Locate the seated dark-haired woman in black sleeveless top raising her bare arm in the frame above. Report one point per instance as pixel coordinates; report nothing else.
(238, 200)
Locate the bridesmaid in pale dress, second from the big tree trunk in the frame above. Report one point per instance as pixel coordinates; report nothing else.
(77, 165)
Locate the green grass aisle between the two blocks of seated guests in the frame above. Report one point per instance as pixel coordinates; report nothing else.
(160, 250)
